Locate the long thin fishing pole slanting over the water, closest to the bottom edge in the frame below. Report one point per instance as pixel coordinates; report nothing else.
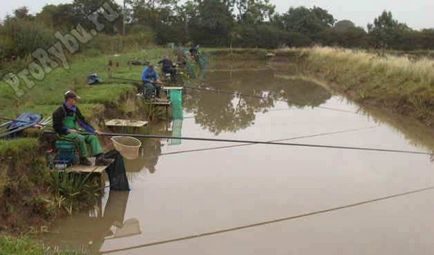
(274, 221)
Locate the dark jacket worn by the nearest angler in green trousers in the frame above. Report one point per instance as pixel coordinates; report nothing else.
(59, 116)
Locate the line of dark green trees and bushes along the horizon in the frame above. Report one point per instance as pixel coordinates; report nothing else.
(216, 23)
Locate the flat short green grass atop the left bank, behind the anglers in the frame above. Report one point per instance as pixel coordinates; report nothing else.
(51, 89)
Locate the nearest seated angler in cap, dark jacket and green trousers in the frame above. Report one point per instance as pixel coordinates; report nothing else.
(69, 124)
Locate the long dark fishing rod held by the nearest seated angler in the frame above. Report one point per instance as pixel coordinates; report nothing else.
(268, 143)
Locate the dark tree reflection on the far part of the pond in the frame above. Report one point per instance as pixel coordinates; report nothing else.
(217, 109)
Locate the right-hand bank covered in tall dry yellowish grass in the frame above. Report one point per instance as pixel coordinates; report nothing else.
(396, 84)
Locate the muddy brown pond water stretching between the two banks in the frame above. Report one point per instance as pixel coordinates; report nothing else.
(189, 188)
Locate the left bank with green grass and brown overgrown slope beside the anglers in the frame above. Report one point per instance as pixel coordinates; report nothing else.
(29, 193)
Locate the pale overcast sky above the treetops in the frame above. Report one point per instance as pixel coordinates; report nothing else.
(416, 13)
